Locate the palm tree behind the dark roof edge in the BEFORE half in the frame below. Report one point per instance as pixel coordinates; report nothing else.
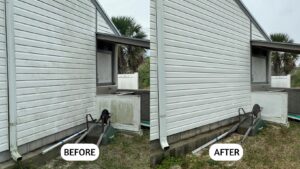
(130, 58)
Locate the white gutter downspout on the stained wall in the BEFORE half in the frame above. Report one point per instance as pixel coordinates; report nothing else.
(11, 69)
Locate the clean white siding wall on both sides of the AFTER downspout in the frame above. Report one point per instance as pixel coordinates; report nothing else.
(207, 56)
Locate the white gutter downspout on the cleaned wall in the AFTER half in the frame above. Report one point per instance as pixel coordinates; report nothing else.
(161, 75)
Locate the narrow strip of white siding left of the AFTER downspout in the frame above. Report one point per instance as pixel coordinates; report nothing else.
(153, 75)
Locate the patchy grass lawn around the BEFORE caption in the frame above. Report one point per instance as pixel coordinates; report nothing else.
(125, 152)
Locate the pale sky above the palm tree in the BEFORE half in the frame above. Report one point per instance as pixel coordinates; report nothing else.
(138, 9)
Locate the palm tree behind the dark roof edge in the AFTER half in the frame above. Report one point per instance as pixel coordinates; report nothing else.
(283, 62)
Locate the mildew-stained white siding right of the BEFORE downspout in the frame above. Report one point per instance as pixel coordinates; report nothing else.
(55, 58)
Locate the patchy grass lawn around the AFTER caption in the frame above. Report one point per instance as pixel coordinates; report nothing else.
(274, 147)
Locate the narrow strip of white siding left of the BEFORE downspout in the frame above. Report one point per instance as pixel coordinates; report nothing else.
(3, 82)
